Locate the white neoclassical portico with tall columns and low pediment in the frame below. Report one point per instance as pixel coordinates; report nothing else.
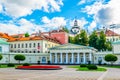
(71, 54)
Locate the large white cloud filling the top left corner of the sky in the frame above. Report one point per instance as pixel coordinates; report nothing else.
(18, 8)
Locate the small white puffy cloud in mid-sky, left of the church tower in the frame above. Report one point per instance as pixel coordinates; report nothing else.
(53, 23)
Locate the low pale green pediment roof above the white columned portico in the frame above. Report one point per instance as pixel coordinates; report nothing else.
(71, 46)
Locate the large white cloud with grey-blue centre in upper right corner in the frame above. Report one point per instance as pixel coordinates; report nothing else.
(104, 14)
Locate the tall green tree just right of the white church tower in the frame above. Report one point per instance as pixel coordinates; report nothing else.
(83, 38)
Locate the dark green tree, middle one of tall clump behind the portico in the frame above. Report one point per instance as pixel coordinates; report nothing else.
(93, 38)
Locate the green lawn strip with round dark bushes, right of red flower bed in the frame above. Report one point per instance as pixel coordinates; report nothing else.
(86, 69)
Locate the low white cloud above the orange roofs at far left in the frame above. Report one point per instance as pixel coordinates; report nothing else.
(23, 27)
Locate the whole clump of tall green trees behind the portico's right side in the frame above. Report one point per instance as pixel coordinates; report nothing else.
(95, 40)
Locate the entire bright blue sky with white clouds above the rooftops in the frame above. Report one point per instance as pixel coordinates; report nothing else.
(20, 16)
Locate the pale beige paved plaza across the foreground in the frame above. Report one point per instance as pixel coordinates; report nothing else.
(64, 74)
